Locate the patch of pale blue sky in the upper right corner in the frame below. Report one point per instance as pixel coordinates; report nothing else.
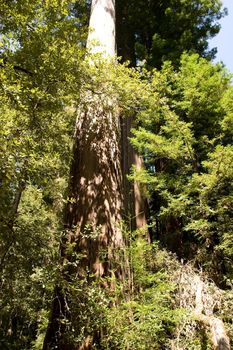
(224, 40)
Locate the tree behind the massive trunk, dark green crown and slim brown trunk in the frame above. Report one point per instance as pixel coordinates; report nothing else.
(153, 32)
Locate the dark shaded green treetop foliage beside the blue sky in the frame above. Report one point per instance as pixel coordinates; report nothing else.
(163, 30)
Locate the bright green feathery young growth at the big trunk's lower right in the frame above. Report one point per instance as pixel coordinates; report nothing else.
(146, 317)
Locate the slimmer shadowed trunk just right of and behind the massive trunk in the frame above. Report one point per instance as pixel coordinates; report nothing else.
(135, 205)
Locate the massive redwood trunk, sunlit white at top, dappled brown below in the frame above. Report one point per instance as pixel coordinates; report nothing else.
(93, 214)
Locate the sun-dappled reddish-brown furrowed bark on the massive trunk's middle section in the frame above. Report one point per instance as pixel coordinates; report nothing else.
(95, 207)
